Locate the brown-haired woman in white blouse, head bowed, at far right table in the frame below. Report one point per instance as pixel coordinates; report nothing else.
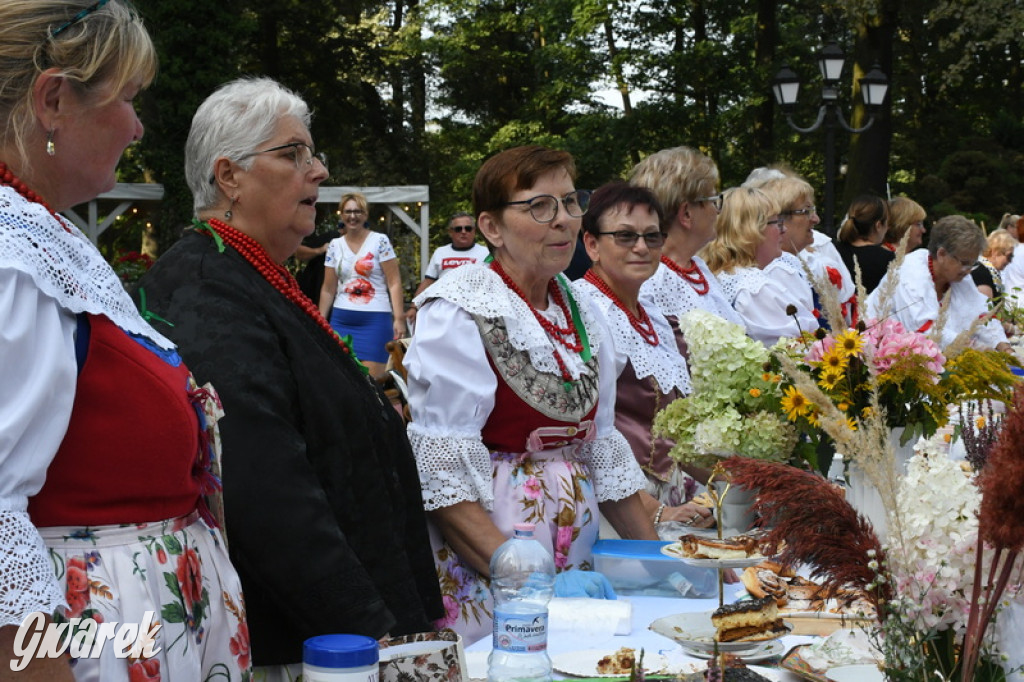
(928, 277)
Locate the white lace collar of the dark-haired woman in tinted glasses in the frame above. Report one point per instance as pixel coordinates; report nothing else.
(662, 362)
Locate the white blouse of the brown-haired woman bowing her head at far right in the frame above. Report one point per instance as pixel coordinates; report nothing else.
(915, 304)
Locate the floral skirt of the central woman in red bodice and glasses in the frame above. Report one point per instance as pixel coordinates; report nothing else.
(551, 490)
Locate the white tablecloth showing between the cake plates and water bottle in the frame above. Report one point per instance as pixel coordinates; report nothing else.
(646, 611)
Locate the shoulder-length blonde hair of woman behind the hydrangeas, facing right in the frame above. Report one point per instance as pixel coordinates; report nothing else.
(741, 230)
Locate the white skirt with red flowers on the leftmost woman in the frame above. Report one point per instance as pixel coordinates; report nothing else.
(177, 569)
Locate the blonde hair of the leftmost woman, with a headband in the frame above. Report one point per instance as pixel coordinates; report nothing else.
(108, 46)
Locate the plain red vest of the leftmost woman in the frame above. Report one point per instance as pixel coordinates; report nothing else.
(130, 452)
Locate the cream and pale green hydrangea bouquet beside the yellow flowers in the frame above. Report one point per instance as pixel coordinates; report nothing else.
(734, 409)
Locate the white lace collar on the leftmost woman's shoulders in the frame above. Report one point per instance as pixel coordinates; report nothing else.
(66, 266)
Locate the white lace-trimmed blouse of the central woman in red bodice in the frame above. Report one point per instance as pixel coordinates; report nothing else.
(452, 390)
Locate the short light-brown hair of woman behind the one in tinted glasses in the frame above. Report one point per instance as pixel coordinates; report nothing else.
(676, 177)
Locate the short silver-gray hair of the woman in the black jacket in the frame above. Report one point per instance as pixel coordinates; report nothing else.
(235, 121)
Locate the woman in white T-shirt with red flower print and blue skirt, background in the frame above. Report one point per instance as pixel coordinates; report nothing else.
(362, 294)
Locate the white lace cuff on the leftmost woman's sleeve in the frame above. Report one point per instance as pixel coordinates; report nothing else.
(29, 584)
